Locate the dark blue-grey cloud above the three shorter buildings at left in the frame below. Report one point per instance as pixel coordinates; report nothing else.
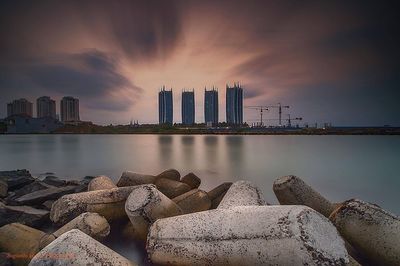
(91, 76)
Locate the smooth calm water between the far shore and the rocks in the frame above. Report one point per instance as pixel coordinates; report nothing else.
(340, 167)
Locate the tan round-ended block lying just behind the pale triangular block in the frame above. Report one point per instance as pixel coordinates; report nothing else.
(92, 224)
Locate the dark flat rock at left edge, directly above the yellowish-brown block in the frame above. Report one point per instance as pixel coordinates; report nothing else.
(22, 214)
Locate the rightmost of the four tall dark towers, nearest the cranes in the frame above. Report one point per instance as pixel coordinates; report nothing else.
(234, 104)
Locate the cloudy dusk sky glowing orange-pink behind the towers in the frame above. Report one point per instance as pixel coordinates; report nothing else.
(330, 61)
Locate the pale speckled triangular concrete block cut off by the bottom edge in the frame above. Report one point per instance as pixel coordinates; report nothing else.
(76, 248)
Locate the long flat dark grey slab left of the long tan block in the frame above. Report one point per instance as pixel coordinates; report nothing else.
(38, 197)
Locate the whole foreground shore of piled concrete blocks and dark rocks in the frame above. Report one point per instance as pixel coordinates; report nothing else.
(50, 221)
